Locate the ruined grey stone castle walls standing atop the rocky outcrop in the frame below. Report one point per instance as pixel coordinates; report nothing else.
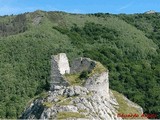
(60, 66)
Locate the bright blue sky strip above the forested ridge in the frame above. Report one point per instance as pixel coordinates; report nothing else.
(8, 7)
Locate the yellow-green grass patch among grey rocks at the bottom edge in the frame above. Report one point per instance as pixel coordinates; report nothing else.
(65, 115)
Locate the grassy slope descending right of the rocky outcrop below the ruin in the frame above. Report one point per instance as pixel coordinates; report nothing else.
(123, 106)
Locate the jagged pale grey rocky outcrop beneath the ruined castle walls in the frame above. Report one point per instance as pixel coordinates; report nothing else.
(80, 101)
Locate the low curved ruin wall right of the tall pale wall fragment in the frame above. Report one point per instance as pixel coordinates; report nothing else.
(98, 83)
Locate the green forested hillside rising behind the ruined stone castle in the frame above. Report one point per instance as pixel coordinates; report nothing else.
(127, 45)
